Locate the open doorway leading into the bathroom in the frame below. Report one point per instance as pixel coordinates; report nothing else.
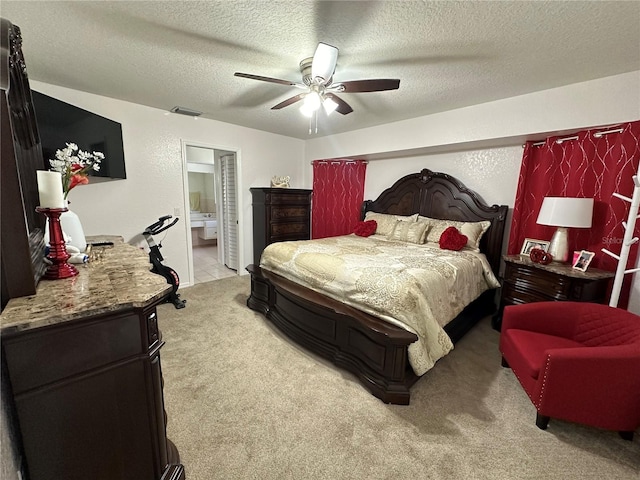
(212, 212)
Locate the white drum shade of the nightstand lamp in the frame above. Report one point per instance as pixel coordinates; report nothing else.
(566, 212)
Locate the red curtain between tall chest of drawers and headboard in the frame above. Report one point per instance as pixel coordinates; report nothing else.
(338, 192)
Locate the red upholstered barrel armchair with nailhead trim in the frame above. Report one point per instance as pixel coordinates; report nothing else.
(578, 362)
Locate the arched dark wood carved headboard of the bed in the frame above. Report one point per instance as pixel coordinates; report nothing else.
(438, 195)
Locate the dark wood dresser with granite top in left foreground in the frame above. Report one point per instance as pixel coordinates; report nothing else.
(81, 363)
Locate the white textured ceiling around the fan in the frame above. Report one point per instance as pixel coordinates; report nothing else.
(446, 54)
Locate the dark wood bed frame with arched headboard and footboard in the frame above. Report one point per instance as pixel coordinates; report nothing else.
(377, 351)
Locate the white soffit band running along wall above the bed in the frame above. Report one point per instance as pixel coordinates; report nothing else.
(504, 122)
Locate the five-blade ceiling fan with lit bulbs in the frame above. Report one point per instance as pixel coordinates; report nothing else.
(317, 81)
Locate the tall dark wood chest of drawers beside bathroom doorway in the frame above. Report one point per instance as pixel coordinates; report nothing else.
(279, 214)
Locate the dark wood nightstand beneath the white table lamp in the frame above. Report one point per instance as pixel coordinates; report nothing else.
(527, 282)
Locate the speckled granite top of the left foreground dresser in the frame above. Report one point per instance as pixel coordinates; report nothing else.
(116, 278)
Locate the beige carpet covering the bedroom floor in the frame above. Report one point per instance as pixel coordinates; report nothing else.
(243, 402)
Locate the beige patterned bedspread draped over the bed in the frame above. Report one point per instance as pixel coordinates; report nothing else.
(418, 287)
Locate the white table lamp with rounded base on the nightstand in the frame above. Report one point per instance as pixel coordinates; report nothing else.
(564, 212)
